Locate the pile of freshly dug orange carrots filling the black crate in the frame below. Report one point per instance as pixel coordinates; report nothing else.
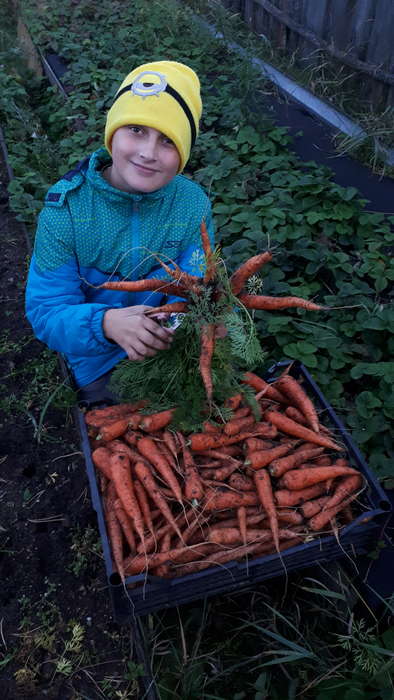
(242, 487)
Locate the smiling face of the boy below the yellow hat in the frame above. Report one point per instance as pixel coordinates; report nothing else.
(143, 159)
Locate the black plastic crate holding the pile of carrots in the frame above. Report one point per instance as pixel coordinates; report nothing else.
(146, 593)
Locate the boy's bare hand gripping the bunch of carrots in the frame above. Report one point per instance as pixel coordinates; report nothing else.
(140, 336)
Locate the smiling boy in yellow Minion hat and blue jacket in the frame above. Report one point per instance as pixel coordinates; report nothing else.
(111, 218)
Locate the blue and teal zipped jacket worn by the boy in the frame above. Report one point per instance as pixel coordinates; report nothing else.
(89, 232)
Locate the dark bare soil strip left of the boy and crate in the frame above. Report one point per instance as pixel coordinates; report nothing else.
(52, 573)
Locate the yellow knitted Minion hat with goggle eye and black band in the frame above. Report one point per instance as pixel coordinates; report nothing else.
(164, 95)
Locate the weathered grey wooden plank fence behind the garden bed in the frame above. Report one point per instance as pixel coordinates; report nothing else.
(357, 34)
